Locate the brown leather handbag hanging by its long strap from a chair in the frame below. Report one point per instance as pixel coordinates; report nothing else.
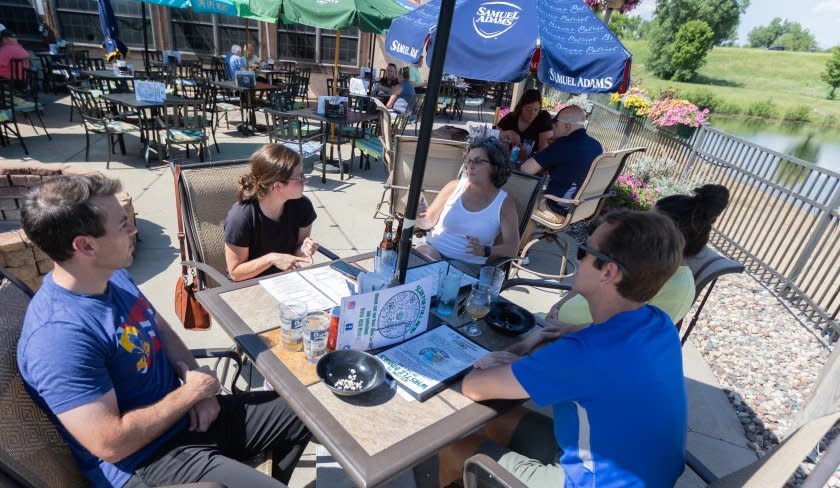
(187, 307)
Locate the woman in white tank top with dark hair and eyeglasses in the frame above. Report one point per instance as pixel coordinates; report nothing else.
(472, 218)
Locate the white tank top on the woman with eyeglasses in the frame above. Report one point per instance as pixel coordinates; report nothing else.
(449, 235)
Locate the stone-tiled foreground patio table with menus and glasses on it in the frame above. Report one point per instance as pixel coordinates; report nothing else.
(373, 436)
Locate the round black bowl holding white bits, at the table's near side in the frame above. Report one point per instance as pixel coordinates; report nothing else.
(349, 373)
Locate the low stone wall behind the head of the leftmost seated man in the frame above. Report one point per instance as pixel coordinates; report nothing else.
(18, 254)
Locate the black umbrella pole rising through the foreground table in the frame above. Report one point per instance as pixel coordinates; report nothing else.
(447, 9)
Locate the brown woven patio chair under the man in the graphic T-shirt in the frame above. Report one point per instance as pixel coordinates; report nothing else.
(32, 452)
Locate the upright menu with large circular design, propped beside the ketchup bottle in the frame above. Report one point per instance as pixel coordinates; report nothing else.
(384, 317)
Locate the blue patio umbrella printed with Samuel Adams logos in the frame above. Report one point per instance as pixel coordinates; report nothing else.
(494, 40)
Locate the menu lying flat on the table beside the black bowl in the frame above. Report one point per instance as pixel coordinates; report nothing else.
(424, 364)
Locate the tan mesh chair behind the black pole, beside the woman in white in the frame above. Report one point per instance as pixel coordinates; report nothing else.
(443, 165)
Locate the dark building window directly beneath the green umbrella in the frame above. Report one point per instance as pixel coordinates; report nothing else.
(308, 44)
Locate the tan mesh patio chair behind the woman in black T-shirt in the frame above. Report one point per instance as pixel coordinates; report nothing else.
(204, 194)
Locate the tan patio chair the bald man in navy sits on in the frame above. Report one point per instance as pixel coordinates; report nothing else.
(585, 206)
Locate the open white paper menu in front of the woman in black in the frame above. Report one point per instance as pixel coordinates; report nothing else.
(319, 288)
